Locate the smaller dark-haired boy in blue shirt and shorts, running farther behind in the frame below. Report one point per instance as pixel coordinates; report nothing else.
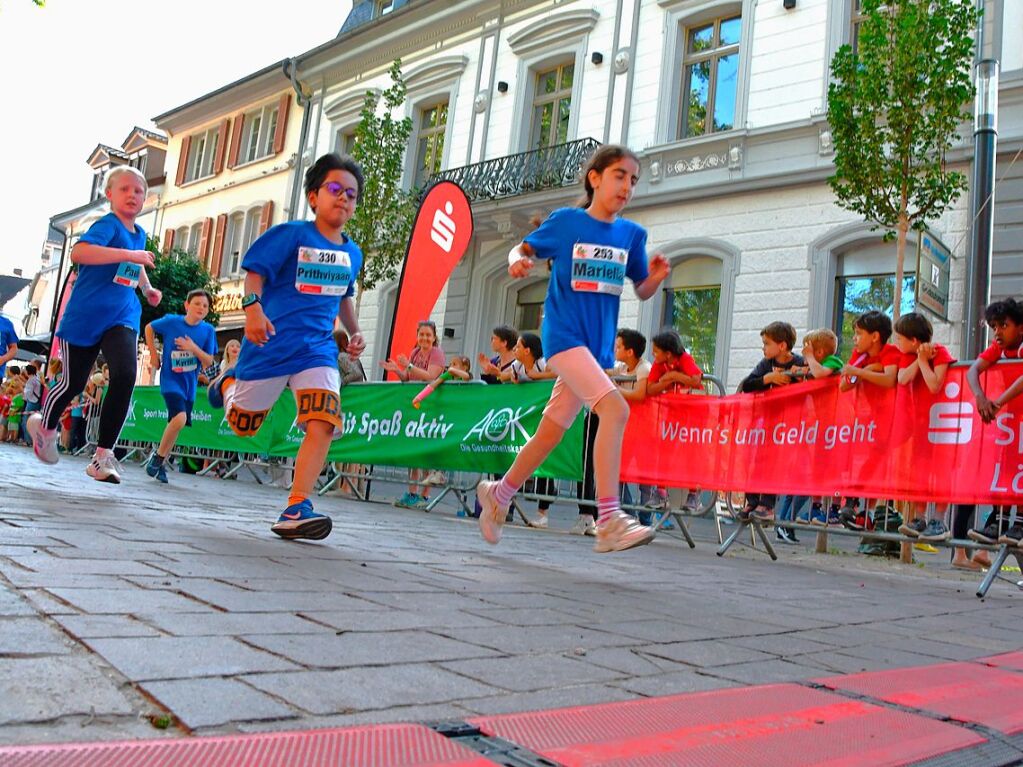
(190, 346)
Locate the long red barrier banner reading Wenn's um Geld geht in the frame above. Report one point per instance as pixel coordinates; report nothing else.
(811, 439)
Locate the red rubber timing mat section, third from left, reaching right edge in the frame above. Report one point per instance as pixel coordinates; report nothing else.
(964, 692)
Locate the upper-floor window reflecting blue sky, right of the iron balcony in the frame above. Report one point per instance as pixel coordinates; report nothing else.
(710, 77)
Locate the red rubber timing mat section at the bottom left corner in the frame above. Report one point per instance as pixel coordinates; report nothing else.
(381, 746)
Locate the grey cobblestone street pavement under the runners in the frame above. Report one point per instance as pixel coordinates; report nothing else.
(124, 603)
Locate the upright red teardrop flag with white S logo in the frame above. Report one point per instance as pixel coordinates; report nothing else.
(440, 236)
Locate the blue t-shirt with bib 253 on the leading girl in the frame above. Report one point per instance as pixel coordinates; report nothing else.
(591, 260)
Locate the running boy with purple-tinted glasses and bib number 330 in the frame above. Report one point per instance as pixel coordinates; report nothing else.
(299, 277)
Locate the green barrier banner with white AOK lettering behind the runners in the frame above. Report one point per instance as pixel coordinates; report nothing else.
(466, 428)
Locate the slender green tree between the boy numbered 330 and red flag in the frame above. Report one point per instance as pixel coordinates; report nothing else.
(383, 220)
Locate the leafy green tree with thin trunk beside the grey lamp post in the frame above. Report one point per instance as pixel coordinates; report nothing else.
(896, 107)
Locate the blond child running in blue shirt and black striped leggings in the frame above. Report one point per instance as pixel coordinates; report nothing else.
(103, 314)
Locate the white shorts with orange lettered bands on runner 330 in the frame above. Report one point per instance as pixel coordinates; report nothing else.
(317, 398)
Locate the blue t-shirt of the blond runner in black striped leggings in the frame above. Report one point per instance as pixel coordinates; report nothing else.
(104, 296)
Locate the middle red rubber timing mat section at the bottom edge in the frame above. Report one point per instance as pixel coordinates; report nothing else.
(780, 726)
